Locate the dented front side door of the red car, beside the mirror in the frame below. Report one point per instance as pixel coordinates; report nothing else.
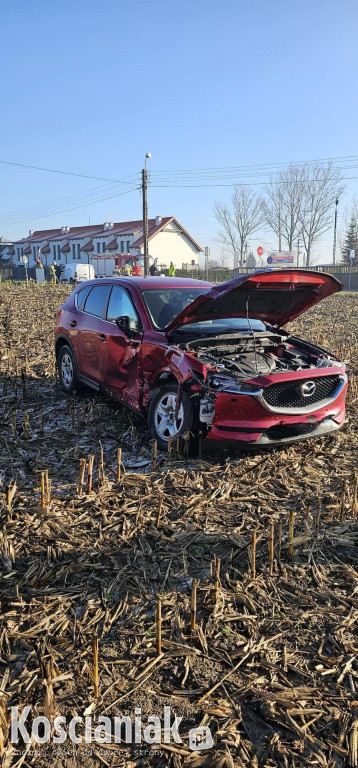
(122, 369)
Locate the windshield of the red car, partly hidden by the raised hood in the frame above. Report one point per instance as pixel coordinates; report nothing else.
(165, 304)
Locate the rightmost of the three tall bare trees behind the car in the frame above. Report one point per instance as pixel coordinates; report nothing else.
(321, 185)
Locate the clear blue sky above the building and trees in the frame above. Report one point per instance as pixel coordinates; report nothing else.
(91, 86)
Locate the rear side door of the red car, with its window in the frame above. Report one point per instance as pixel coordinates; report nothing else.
(92, 335)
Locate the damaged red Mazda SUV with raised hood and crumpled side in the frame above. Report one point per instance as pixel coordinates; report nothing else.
(197, 357)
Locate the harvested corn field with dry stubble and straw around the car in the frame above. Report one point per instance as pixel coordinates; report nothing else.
(225, 587)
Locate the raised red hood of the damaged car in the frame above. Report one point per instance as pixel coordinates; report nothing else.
(274, 296)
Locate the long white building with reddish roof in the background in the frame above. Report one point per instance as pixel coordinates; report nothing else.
(167, 241)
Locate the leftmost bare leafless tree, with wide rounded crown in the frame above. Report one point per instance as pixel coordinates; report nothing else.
(240, 221)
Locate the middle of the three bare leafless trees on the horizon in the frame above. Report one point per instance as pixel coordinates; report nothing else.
(282, 205)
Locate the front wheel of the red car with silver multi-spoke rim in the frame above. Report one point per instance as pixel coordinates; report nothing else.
(161, 416)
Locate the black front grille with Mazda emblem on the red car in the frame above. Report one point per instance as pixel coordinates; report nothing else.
(287, 394)
